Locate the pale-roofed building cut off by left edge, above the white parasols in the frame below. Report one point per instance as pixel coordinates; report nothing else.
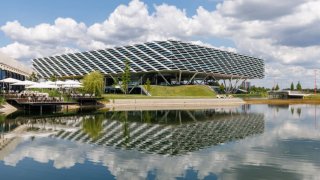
(11, 68)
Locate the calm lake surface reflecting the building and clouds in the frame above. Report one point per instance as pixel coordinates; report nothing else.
(246, 142)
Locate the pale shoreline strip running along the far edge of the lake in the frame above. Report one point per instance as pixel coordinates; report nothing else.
(176, 104)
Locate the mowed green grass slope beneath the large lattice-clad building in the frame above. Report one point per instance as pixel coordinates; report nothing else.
(184, 90)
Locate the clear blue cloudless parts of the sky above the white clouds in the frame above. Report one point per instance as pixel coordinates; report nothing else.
(34, 12)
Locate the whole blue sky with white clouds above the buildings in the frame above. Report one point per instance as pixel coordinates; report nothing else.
(284, 33)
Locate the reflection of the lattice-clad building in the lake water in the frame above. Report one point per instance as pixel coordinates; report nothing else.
(173, 132)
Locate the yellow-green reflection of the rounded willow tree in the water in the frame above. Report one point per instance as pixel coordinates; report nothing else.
(93, 125)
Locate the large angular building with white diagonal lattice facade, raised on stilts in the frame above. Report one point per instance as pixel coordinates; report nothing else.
(163, 62)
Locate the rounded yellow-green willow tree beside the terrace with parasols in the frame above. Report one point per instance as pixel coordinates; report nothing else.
(93, 83)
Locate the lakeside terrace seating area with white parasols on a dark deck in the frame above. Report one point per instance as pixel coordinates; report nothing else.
(48, 93)
